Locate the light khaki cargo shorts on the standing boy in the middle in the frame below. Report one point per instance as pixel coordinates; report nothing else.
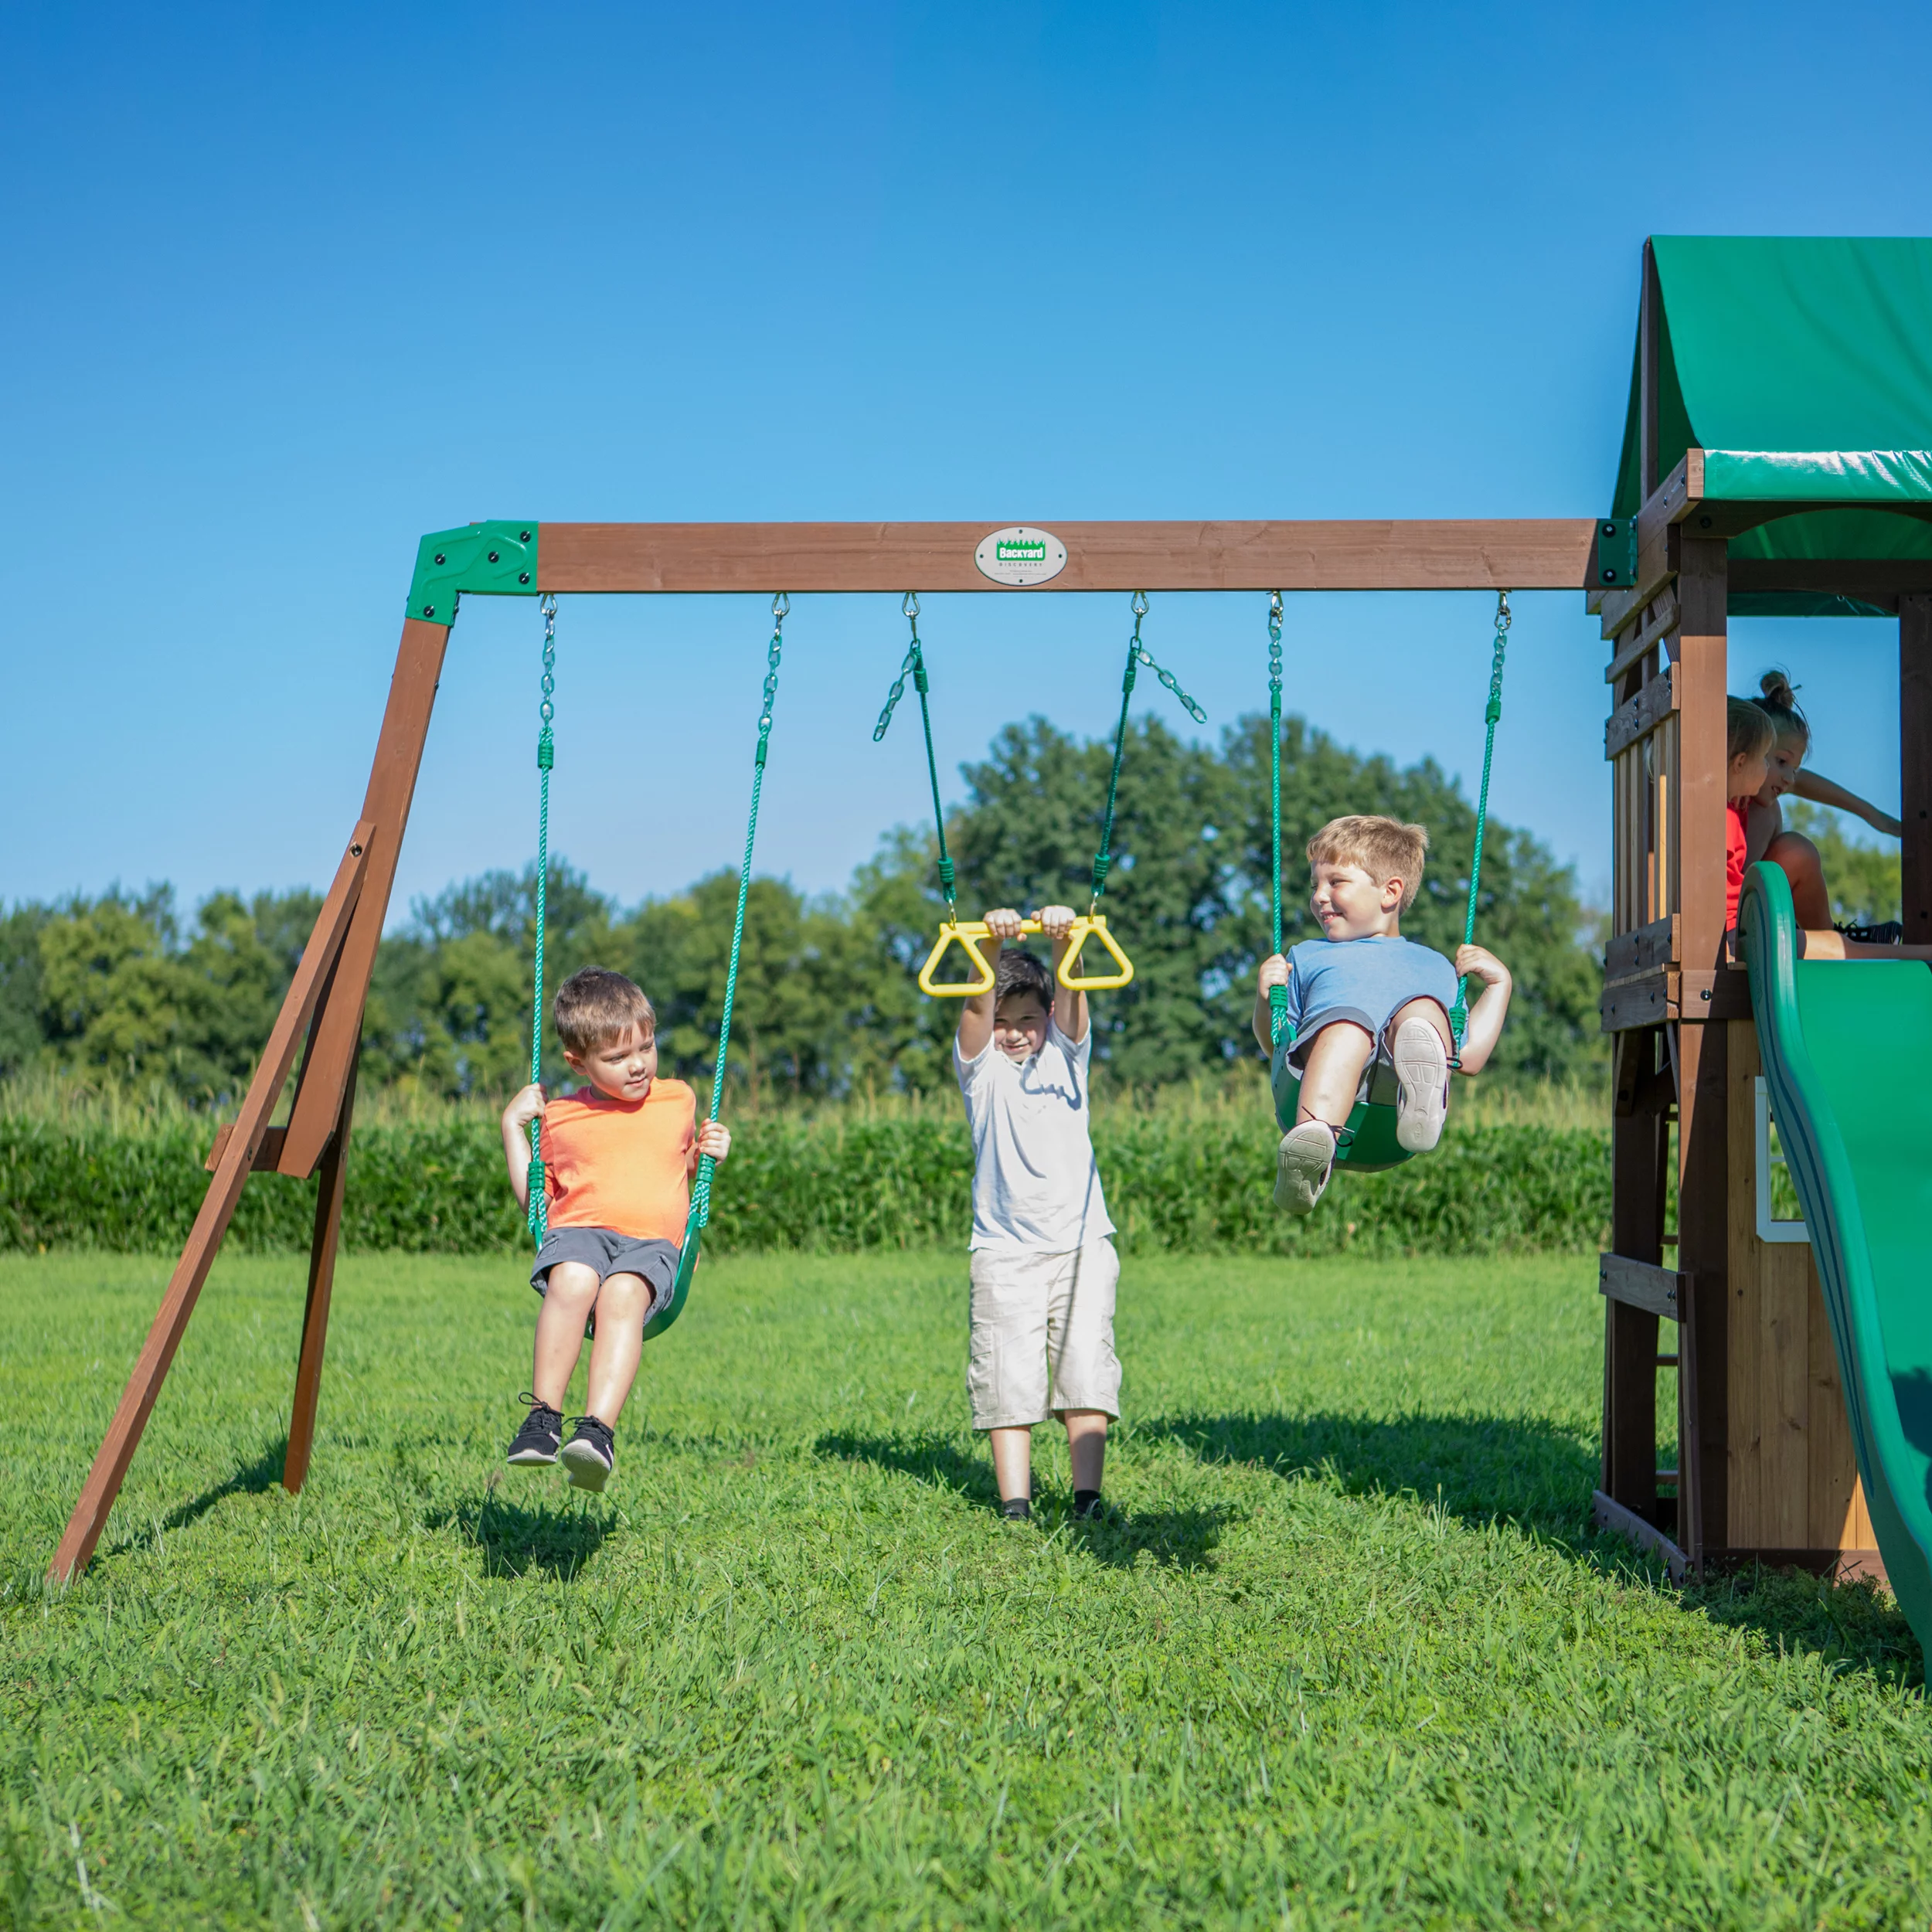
(1042, 1336)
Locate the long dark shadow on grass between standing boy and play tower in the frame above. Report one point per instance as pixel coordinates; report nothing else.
(1516, 1469)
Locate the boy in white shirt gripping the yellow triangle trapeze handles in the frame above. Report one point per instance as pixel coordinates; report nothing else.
(1044, 1272)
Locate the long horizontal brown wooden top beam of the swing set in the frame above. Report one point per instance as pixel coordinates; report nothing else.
(1521, 555)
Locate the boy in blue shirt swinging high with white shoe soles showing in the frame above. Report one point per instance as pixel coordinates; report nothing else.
(1363, 996)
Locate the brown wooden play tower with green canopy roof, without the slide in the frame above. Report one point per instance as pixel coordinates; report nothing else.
(1773, 465)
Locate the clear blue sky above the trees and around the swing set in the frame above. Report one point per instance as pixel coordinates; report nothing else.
(287, 289)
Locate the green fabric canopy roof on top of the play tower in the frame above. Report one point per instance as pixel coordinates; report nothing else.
(1804, 370)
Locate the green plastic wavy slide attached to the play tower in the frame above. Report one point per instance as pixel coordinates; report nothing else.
(1848, 1058)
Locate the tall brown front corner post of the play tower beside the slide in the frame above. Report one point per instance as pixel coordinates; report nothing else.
(1703, 1168)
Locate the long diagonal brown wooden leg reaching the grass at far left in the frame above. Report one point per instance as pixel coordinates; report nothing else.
(217, 1208)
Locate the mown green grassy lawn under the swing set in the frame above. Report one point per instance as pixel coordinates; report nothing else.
(1348, 1655)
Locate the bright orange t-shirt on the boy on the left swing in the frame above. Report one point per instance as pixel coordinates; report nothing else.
(621, 1164)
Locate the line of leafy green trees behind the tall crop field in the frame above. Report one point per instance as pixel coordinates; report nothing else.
(125, 988)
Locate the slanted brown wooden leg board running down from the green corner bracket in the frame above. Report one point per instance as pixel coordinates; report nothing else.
(399, 756)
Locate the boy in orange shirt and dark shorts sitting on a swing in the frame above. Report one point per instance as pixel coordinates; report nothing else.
(617, 1172)
